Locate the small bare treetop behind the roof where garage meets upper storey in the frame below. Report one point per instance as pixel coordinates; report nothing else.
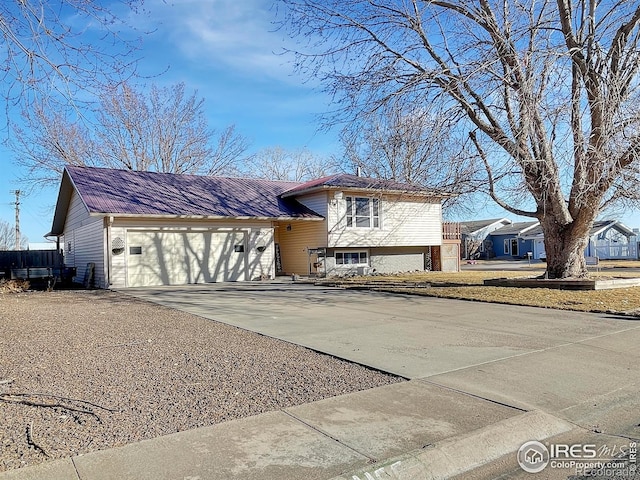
(277, 163)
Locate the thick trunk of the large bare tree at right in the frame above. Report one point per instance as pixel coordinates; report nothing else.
(565, 247)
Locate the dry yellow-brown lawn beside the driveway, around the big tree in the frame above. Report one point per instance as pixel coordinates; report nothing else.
(468, 285)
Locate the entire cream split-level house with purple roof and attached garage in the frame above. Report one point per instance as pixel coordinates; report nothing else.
(124, 228)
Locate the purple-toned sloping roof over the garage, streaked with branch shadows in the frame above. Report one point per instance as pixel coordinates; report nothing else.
(129, 192)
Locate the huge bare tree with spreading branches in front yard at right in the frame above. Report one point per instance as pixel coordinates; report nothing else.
(546, 91)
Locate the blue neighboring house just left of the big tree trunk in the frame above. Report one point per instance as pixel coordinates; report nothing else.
(517, 240)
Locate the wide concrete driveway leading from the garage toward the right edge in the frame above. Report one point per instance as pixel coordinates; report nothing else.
(581, 367)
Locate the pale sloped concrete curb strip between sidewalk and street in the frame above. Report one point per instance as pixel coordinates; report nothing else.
(464, 453)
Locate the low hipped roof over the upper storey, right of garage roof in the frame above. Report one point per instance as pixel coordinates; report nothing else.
(343, 180)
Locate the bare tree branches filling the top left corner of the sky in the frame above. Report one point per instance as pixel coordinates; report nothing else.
(55, 49)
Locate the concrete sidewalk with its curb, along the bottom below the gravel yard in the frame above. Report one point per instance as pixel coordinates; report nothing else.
(350, 433)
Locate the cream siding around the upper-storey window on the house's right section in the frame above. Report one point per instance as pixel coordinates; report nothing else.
(404, 222)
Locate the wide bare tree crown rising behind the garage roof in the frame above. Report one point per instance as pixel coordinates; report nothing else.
(164, 131)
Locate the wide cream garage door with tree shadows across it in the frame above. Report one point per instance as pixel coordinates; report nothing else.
(178, 258)
